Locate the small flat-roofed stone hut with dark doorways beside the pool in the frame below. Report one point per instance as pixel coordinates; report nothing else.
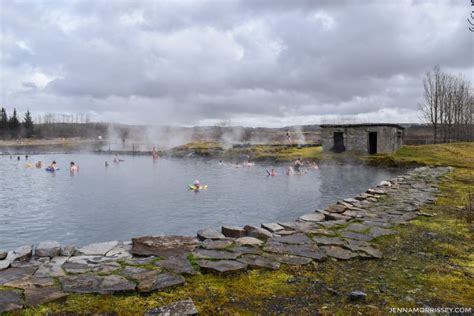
(368, 138)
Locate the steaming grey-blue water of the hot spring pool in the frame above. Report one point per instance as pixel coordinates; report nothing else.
(139, 197)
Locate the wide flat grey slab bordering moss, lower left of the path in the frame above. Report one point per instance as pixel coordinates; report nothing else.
(96, 284)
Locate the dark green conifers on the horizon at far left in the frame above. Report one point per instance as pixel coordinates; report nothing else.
(14, 127)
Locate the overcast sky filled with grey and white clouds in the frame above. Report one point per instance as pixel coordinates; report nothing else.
(254, 63)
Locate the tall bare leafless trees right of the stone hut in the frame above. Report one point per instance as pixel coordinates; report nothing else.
(448, 106)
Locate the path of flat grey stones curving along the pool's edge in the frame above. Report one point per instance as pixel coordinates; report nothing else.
(48, 271)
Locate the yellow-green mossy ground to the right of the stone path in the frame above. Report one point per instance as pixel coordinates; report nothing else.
(430, 262)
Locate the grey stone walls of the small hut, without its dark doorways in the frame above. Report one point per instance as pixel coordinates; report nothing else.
(356, 138)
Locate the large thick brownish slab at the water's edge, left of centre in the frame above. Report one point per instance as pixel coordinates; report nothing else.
(163, 246)
